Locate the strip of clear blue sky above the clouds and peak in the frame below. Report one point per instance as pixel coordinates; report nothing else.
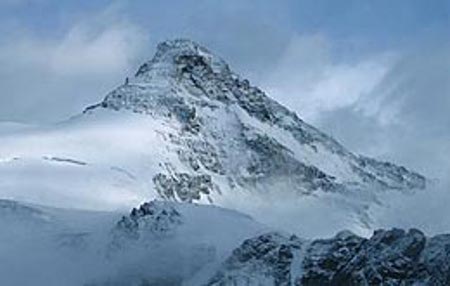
(352, 26)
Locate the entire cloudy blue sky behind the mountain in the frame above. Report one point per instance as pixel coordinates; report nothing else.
(373, 74)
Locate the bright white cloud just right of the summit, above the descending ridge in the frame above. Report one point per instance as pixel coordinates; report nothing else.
(311, 81)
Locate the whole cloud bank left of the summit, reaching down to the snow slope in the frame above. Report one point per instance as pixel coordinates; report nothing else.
(45, 79)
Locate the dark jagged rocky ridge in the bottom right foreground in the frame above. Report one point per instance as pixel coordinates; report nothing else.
(393, 257)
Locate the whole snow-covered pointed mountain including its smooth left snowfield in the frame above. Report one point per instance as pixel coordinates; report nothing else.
(187, 128)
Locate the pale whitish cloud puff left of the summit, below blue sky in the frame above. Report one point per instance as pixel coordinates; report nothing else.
(106, 45)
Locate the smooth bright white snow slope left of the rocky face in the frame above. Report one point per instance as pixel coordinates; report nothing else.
(104, 162)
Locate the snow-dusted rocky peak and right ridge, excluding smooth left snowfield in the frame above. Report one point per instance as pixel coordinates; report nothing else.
(231, 131)
